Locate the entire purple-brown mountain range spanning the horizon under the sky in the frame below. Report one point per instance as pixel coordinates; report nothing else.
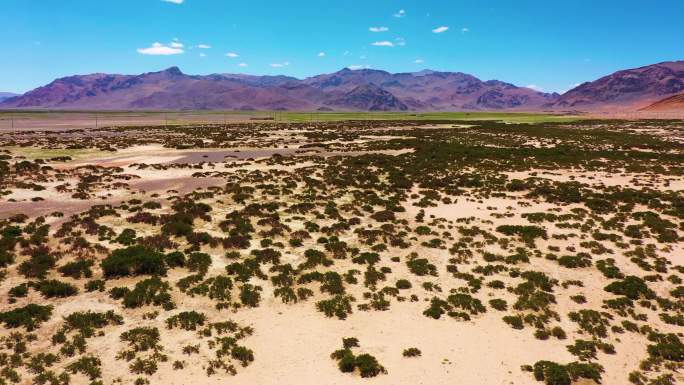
(346, 90)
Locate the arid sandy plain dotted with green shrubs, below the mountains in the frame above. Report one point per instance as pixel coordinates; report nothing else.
(346, 252)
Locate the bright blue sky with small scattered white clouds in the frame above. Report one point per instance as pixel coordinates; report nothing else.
(551, 45)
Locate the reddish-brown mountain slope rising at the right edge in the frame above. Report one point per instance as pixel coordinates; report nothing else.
(629, 89)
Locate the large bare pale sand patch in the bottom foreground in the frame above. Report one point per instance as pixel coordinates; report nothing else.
(292, 345)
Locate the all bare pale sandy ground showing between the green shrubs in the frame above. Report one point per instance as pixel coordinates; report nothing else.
(293, 343)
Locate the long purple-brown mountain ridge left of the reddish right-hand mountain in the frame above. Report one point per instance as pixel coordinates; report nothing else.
(345, 90)
